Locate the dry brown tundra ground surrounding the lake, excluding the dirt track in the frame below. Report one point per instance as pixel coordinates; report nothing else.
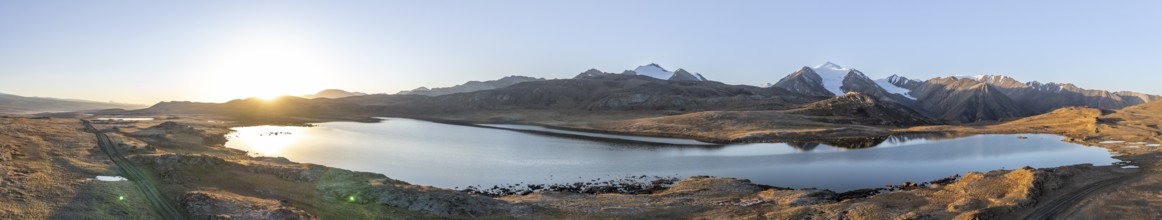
(46, 164)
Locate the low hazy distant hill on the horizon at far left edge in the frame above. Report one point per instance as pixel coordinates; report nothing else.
(26, 105)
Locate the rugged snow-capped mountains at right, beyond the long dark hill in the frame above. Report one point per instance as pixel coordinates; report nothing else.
(963, 100)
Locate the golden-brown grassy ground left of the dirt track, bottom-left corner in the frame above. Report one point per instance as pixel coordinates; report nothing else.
(46, 178)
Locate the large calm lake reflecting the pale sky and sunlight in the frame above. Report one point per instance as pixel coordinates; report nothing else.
(457, 157)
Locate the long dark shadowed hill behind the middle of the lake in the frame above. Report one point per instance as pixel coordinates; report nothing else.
(598, 93)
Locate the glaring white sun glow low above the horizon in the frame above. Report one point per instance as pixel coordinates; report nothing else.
(268, 66)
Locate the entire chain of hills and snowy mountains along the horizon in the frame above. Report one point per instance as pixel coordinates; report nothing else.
(829, 91)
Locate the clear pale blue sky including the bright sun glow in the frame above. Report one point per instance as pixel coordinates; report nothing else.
(149, 52)
